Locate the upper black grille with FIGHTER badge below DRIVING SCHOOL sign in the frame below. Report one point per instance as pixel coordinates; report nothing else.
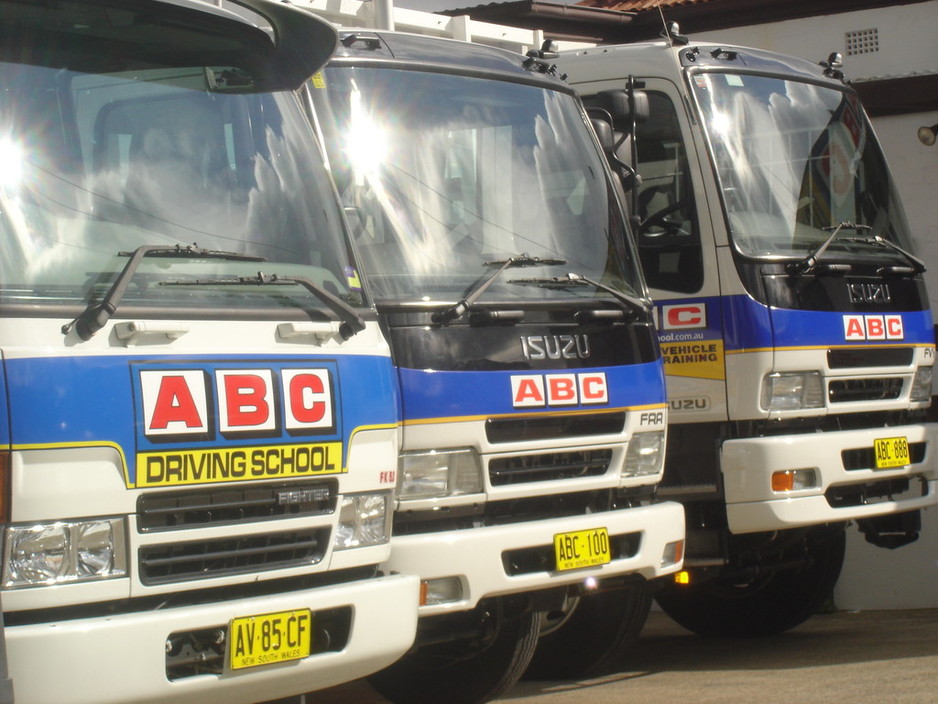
(226, 505)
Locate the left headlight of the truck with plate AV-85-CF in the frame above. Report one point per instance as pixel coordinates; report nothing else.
(64, 552)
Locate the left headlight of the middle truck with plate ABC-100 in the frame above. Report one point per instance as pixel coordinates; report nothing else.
(438, 473)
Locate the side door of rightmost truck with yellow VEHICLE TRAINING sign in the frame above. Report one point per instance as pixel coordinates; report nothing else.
(679, 258)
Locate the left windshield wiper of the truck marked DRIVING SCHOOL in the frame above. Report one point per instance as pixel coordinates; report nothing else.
(96, 315)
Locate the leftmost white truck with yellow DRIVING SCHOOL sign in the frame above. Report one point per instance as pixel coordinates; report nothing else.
(200, 428)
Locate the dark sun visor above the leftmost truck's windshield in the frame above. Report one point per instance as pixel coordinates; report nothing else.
(272, 46)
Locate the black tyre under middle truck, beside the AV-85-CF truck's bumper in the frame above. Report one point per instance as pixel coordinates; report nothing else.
(467, 671)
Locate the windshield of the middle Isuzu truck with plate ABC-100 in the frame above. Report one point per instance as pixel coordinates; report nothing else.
(446, 178)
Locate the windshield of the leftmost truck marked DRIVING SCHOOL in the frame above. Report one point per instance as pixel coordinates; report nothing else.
(95, 166)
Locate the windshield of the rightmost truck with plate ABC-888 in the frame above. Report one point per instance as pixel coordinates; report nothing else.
(794, 158)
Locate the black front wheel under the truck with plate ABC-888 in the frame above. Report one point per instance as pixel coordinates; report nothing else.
(764, 605)
